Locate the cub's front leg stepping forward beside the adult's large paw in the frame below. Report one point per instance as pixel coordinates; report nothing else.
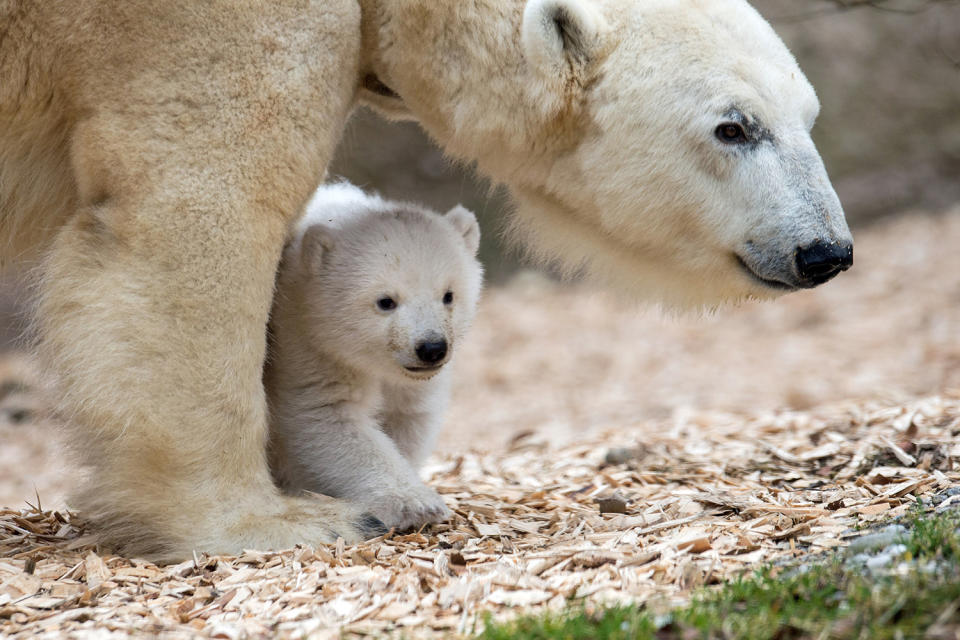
(348, 456)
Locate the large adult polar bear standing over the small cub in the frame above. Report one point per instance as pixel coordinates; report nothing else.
(154, 155)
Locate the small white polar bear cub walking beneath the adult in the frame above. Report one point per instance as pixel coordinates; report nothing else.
(372, 298)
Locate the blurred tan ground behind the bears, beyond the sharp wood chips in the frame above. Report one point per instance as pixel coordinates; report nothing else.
(563, 363)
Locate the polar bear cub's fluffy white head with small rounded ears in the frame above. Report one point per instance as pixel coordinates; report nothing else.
(395, 293)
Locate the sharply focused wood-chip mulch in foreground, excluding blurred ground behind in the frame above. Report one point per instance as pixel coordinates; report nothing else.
(701, 498)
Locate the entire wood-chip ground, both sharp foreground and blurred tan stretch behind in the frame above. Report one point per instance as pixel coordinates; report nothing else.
(591, 452)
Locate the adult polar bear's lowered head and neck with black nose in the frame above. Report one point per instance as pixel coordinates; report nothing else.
(662, 145)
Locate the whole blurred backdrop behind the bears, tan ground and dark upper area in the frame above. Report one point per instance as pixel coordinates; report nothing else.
(557, 359)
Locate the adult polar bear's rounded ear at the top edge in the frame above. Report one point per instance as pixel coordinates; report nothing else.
(557, 33)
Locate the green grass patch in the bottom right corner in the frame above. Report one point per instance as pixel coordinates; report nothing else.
(828, 598)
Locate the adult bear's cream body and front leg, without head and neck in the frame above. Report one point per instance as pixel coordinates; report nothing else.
(159, 152)
